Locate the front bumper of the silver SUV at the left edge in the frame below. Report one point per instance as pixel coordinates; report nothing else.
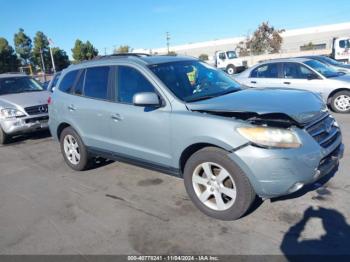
(25, 125)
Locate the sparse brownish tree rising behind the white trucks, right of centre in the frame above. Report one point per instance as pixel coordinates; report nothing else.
(266, 39)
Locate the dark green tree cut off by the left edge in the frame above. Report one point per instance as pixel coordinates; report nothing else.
(8, 58)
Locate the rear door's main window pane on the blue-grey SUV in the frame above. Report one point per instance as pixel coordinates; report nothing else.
(96, 82)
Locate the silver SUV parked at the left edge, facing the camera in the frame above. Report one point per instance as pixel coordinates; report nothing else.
(23, 106)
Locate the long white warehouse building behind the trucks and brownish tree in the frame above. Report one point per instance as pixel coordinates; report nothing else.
(293, 41)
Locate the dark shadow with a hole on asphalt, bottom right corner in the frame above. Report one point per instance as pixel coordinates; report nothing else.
(335, 241)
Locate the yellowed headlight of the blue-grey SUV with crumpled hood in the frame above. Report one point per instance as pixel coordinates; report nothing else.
(271, 137)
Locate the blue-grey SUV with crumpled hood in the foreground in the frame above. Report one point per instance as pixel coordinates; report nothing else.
(180, 116)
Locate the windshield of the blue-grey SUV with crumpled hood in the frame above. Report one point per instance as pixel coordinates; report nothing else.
(193, 80)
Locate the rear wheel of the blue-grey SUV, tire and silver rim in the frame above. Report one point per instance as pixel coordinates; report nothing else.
(73, 150)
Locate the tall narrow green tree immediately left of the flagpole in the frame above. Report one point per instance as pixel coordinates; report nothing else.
(41, 45)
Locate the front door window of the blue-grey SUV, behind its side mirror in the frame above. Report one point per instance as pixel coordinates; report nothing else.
(130, 82)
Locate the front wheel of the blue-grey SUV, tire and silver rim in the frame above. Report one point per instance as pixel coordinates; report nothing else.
(216, 185)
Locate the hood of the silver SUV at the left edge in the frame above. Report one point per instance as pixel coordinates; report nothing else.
(23, 100)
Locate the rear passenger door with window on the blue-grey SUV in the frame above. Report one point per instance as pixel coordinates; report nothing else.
(86, 106)
